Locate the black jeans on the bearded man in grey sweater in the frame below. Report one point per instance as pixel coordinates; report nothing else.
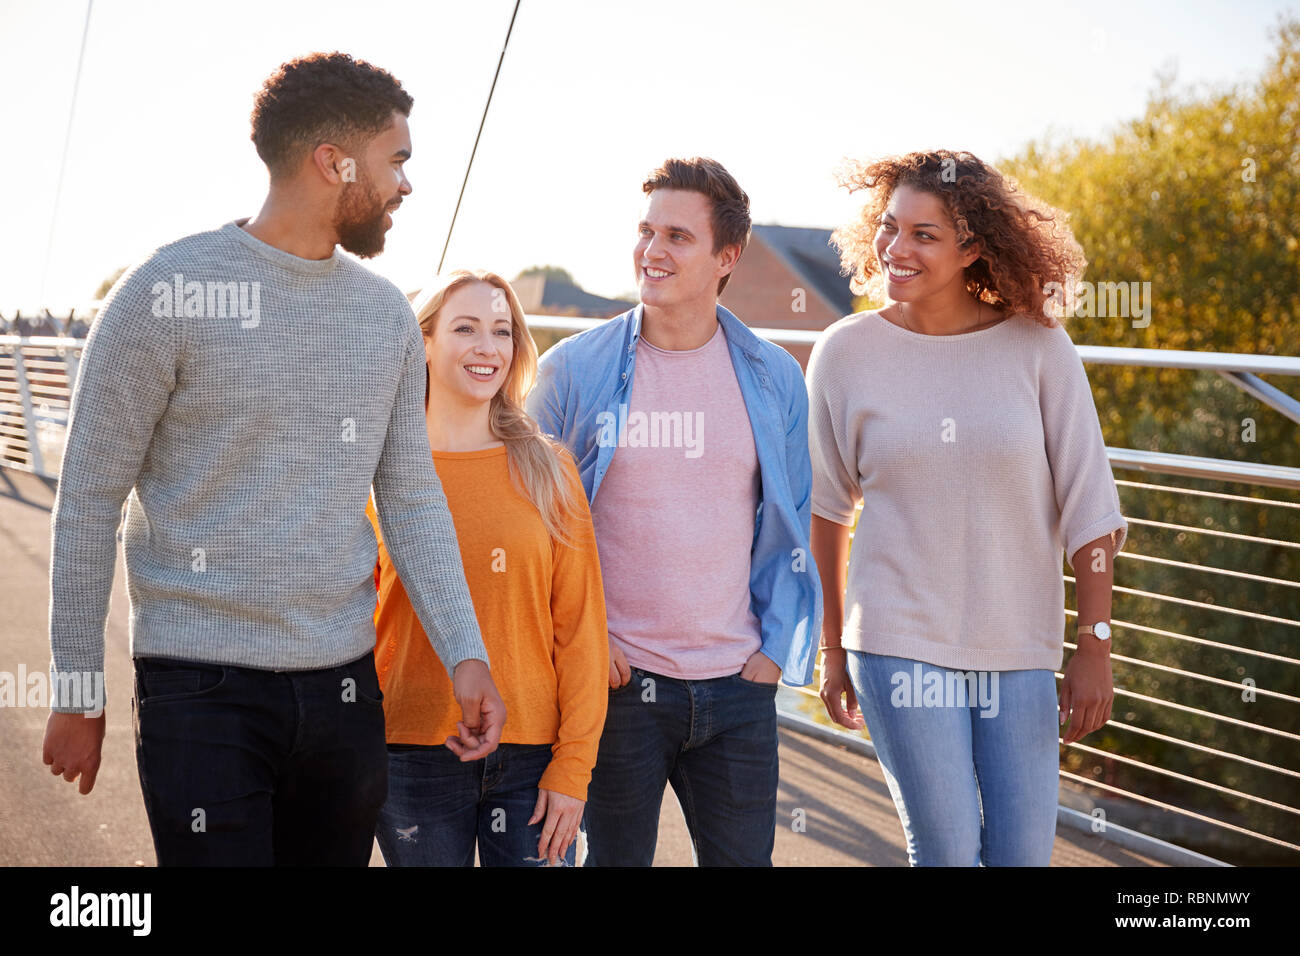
(252, 768)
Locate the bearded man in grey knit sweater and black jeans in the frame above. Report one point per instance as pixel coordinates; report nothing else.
(246, 388)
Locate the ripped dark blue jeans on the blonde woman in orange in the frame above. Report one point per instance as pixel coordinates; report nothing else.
(439, 808)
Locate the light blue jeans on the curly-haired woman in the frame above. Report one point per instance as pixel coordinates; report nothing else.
(972, 765)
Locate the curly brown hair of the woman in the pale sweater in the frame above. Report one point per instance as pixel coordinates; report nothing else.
(1025, 244)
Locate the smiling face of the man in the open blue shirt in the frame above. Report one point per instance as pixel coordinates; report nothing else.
(674, 258)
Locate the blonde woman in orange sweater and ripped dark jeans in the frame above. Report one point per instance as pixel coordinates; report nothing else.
(530, 556)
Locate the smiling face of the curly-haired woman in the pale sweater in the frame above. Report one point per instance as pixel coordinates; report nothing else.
(917, 248)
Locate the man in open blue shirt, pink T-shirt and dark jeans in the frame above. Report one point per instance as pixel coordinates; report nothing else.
(704, 533)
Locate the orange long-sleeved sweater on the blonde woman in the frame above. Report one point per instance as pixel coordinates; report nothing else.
(541, 611)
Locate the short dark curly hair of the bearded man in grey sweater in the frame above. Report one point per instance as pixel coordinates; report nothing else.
(323, 98)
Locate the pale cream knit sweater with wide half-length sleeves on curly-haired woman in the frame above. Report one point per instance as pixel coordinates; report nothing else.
(977, 457)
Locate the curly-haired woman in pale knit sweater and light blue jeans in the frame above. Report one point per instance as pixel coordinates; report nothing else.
(960, 416)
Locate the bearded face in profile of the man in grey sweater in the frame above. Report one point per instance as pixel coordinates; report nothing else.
(362, 215)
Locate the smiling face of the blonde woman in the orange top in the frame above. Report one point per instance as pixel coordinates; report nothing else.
(473, 345)
